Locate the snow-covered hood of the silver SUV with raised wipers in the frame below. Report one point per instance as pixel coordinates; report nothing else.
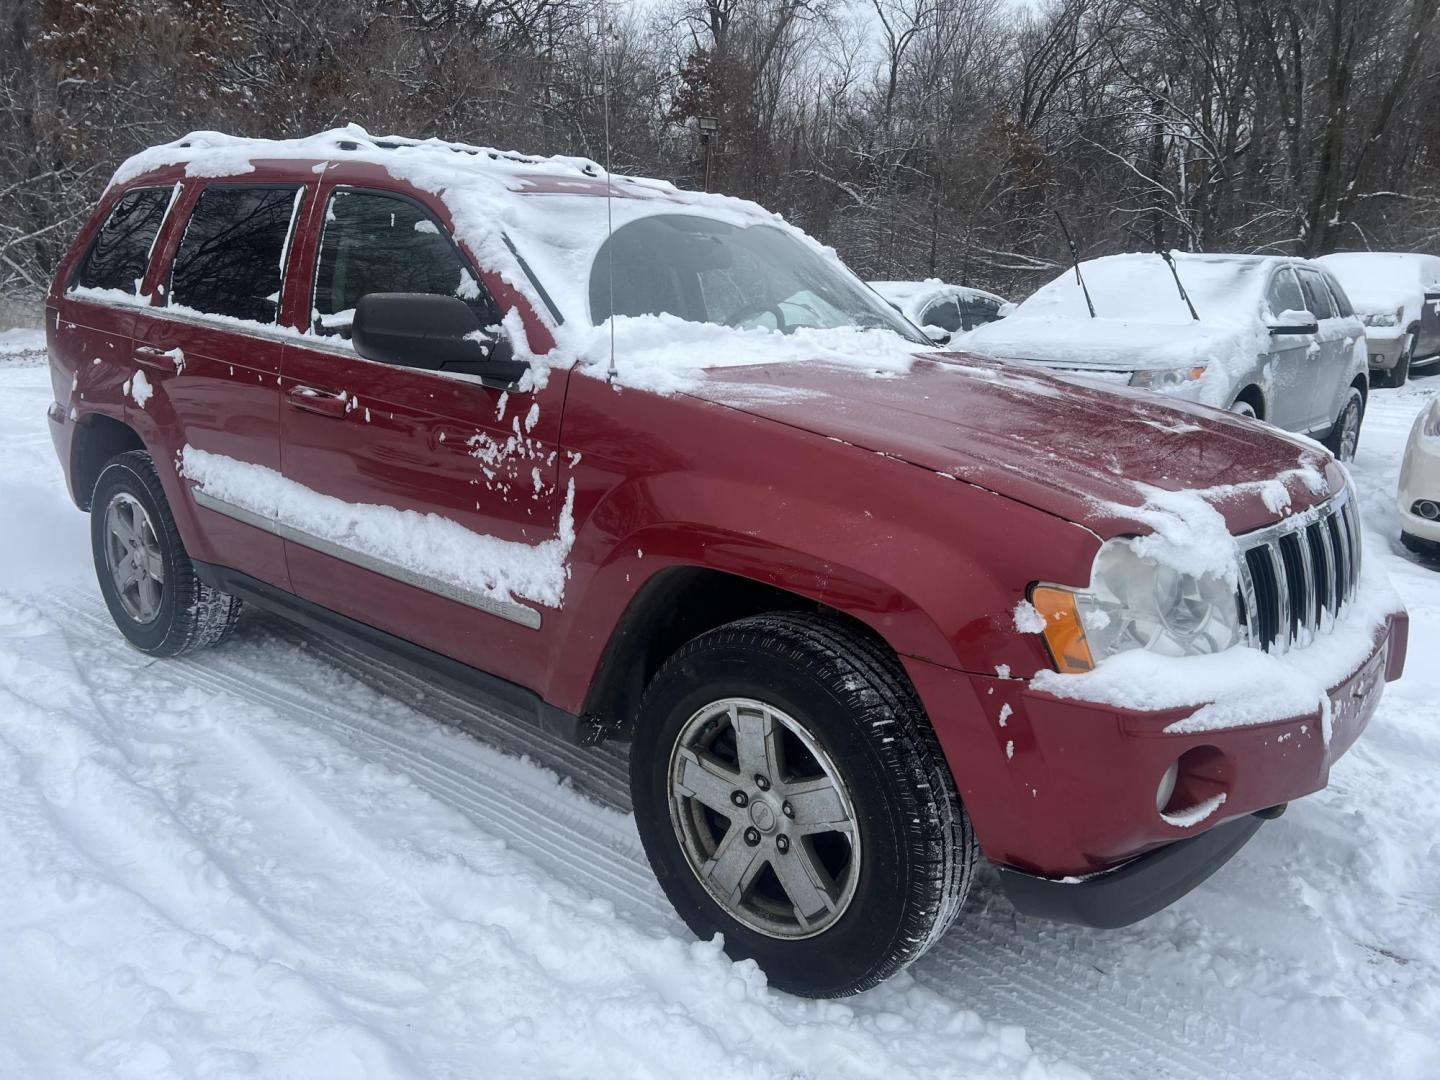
(1107, 343)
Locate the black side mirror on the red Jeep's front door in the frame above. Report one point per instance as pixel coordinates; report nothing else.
(431, 333)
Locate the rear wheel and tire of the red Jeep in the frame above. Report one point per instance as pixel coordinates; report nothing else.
(145, 572)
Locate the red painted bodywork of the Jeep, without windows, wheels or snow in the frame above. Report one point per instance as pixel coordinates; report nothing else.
(922, 506)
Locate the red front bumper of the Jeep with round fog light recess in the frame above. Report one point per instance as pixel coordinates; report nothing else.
(1068, 790)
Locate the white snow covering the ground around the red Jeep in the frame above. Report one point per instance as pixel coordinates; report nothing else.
(280, 859)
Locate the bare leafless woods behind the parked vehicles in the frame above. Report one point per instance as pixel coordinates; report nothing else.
(919, 138)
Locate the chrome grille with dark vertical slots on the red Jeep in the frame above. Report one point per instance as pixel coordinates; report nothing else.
(1295, 577)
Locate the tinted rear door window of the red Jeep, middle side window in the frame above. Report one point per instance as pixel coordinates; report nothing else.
(230, 260)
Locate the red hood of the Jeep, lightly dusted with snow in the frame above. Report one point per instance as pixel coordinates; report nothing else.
(1078, 450)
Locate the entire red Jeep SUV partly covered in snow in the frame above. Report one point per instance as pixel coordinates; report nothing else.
(654, 466)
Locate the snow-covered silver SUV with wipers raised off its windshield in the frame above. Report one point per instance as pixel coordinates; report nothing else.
(1269, 338)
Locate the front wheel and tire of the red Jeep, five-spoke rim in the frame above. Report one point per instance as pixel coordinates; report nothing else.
(833, 715)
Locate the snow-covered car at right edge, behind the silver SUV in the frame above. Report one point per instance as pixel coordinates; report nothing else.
(1398, 296)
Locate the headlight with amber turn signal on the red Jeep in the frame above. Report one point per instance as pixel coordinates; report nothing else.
(1137, 604)
